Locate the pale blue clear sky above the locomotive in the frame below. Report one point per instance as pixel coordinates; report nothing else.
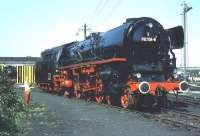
(27, 27)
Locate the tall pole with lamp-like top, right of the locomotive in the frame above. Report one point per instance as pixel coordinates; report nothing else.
(186, 8)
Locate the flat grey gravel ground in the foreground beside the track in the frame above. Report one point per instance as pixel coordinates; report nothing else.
(52, 115)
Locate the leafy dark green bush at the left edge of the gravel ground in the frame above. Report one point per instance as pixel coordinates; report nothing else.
(10, 106)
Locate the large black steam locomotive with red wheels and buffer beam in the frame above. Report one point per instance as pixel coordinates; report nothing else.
(131, 64)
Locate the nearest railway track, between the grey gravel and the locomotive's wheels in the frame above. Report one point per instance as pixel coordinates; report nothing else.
(170, 117)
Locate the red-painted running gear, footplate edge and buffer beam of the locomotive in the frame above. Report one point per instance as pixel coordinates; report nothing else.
(78, 88)
